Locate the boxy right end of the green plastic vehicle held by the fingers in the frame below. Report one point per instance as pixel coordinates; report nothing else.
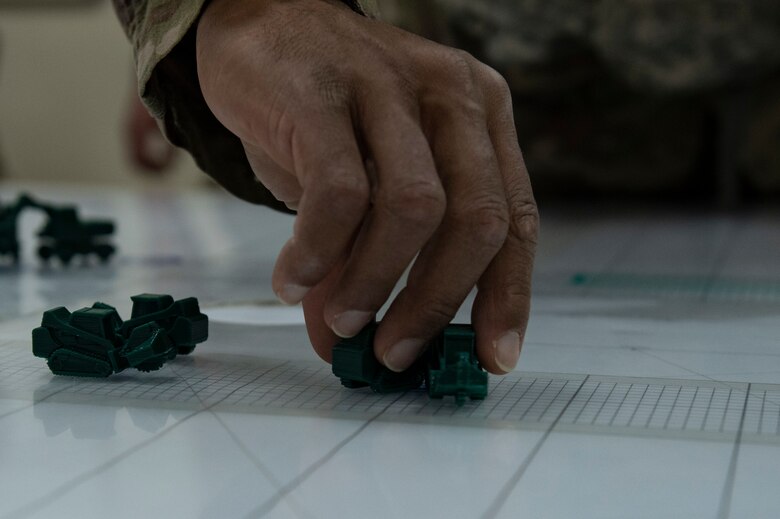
(453, 368)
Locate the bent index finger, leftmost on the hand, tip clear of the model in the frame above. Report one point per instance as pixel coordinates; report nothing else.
(335, 198)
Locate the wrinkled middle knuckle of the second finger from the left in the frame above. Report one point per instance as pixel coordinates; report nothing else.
(417, 202)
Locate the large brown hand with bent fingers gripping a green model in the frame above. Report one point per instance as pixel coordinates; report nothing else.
(388, 145)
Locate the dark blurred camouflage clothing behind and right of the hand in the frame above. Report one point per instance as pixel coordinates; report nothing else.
(673, 97)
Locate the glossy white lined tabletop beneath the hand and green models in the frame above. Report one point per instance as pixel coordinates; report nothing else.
(649, 385)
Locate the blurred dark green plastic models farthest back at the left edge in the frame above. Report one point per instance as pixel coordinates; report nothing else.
(63, 236)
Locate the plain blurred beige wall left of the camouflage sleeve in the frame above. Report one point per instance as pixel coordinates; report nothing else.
(67, 92)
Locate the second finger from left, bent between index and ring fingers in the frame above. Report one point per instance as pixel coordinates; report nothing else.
(408, 204)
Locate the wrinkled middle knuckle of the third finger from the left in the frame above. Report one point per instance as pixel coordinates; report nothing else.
(487, 219)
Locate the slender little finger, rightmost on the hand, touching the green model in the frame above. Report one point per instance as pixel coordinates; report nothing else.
(503, 302)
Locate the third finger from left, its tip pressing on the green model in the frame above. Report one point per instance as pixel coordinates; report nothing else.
(472, 232)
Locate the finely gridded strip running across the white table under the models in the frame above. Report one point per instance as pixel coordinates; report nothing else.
(577, 403)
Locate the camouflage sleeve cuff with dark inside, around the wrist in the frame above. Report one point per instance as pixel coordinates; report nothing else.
(162, 33)
